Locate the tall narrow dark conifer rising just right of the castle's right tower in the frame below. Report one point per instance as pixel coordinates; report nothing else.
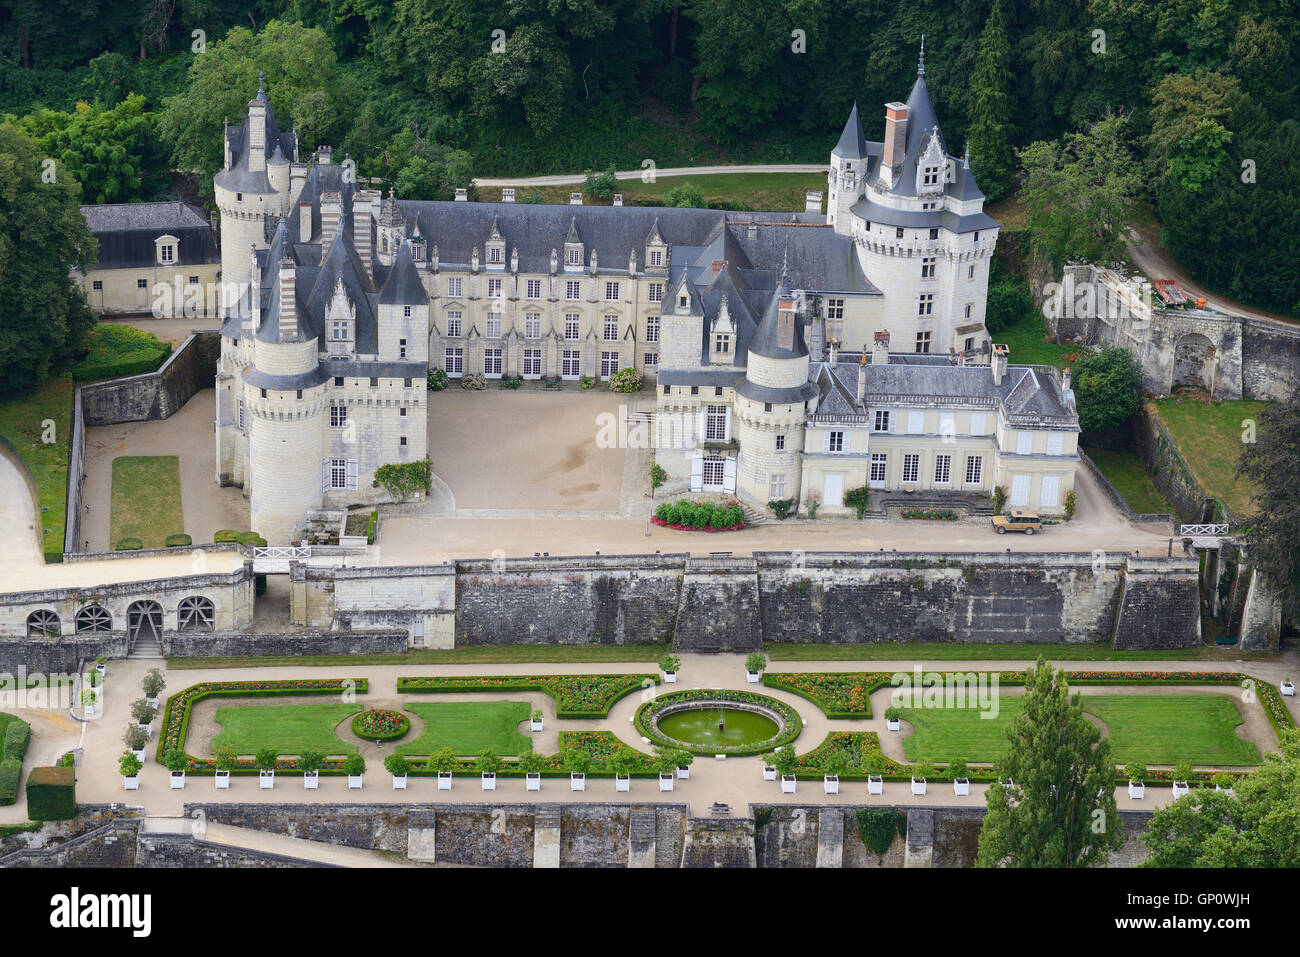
(991, 106)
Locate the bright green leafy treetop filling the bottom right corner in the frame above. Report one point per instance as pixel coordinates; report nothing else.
(1258, 826)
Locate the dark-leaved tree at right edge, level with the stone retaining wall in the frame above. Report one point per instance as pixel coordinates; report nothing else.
(1273, 530)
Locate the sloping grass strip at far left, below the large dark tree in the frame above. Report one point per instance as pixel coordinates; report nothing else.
(24, 426)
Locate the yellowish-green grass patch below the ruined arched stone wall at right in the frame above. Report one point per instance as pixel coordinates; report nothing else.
(1210, 435)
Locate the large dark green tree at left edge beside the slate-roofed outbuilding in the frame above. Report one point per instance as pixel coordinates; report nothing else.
(44, 239)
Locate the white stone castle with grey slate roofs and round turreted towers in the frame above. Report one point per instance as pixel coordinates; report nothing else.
(348, 300)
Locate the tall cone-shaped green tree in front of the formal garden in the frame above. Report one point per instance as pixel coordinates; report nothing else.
(1061, 809)
